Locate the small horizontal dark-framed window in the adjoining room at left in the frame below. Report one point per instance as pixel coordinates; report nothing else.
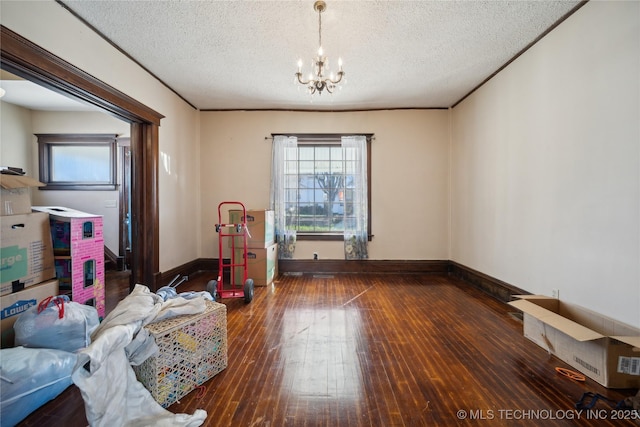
(77, 161)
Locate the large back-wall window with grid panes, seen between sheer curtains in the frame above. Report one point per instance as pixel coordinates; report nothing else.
(319, 183)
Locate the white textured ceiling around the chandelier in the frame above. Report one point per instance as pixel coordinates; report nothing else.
(397, 54)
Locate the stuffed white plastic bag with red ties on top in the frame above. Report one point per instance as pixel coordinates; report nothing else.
(56, 323)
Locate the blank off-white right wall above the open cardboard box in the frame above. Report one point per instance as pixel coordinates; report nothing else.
(546, 161)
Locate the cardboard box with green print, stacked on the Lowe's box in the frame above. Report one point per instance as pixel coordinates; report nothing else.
(26, 251)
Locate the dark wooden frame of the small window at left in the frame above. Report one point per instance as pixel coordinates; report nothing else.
(47, 141)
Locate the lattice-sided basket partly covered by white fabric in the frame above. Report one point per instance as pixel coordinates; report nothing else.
(193, 349)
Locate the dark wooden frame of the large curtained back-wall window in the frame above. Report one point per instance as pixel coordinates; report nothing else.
(334, 139)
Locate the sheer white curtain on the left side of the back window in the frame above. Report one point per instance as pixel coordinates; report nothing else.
(284, 166)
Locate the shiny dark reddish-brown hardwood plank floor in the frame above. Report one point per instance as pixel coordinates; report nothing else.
(373, 350)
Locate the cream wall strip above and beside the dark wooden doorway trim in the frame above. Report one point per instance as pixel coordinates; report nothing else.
(50, 26)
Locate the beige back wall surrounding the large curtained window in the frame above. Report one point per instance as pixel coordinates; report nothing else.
(410, 164)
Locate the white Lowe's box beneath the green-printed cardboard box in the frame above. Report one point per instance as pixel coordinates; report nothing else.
(14, 304)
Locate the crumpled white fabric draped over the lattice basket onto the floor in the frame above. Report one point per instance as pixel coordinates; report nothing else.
(112, 394)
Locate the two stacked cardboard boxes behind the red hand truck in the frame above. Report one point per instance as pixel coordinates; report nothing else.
(262, 251)
